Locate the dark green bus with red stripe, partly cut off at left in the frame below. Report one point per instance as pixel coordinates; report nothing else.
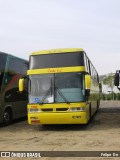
(13, 104)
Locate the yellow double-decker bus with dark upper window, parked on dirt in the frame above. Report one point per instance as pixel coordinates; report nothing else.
(63, 87)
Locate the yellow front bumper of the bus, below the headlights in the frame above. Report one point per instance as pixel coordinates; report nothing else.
(58, 118)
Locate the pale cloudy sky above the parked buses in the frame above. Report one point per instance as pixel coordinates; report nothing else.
(33, 25)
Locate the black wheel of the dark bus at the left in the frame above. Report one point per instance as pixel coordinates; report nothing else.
(7, 117)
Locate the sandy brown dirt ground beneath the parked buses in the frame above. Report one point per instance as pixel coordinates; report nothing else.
(101, 134)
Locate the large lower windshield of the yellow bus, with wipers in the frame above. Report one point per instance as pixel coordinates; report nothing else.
(56, 88)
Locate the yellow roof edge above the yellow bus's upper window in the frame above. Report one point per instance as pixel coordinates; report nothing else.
(57, 51)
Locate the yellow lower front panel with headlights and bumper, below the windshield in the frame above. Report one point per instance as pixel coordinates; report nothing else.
(56, 116)
